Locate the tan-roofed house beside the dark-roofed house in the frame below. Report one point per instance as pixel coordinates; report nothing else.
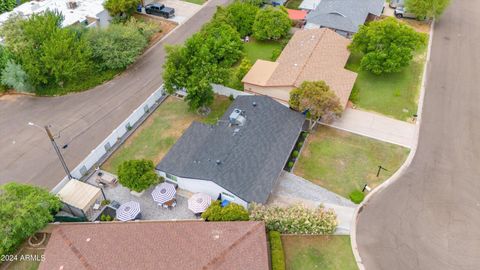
(311, 55)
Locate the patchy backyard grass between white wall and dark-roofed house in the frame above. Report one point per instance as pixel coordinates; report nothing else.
(153, 139)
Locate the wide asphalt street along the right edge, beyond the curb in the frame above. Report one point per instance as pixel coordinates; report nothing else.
(430, 217)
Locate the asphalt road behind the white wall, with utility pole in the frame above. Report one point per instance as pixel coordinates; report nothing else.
(84, 119)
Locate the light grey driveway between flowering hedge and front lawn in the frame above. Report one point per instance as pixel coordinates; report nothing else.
(292, 189)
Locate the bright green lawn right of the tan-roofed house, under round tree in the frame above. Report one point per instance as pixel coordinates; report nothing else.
(395, 95)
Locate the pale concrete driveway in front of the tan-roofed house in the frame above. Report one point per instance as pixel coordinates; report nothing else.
(376, 126)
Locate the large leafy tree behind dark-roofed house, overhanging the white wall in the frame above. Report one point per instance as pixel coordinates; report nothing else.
(205, 58)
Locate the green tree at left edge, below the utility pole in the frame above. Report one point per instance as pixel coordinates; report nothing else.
(24, 210)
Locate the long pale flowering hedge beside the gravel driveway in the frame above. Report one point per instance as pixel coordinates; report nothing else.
(296, 219)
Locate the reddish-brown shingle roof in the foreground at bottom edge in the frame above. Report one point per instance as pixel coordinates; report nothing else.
(158, 245)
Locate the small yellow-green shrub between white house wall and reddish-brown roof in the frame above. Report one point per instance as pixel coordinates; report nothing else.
(231, 212)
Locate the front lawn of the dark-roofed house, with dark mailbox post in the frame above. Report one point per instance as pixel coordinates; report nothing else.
(342, 162)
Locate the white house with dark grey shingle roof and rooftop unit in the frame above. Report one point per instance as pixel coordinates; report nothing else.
(241, 157)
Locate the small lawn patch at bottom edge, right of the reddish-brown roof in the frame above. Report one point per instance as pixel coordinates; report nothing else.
(318, 252)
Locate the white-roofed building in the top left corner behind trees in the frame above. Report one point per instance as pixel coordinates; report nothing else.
(87, 12)
